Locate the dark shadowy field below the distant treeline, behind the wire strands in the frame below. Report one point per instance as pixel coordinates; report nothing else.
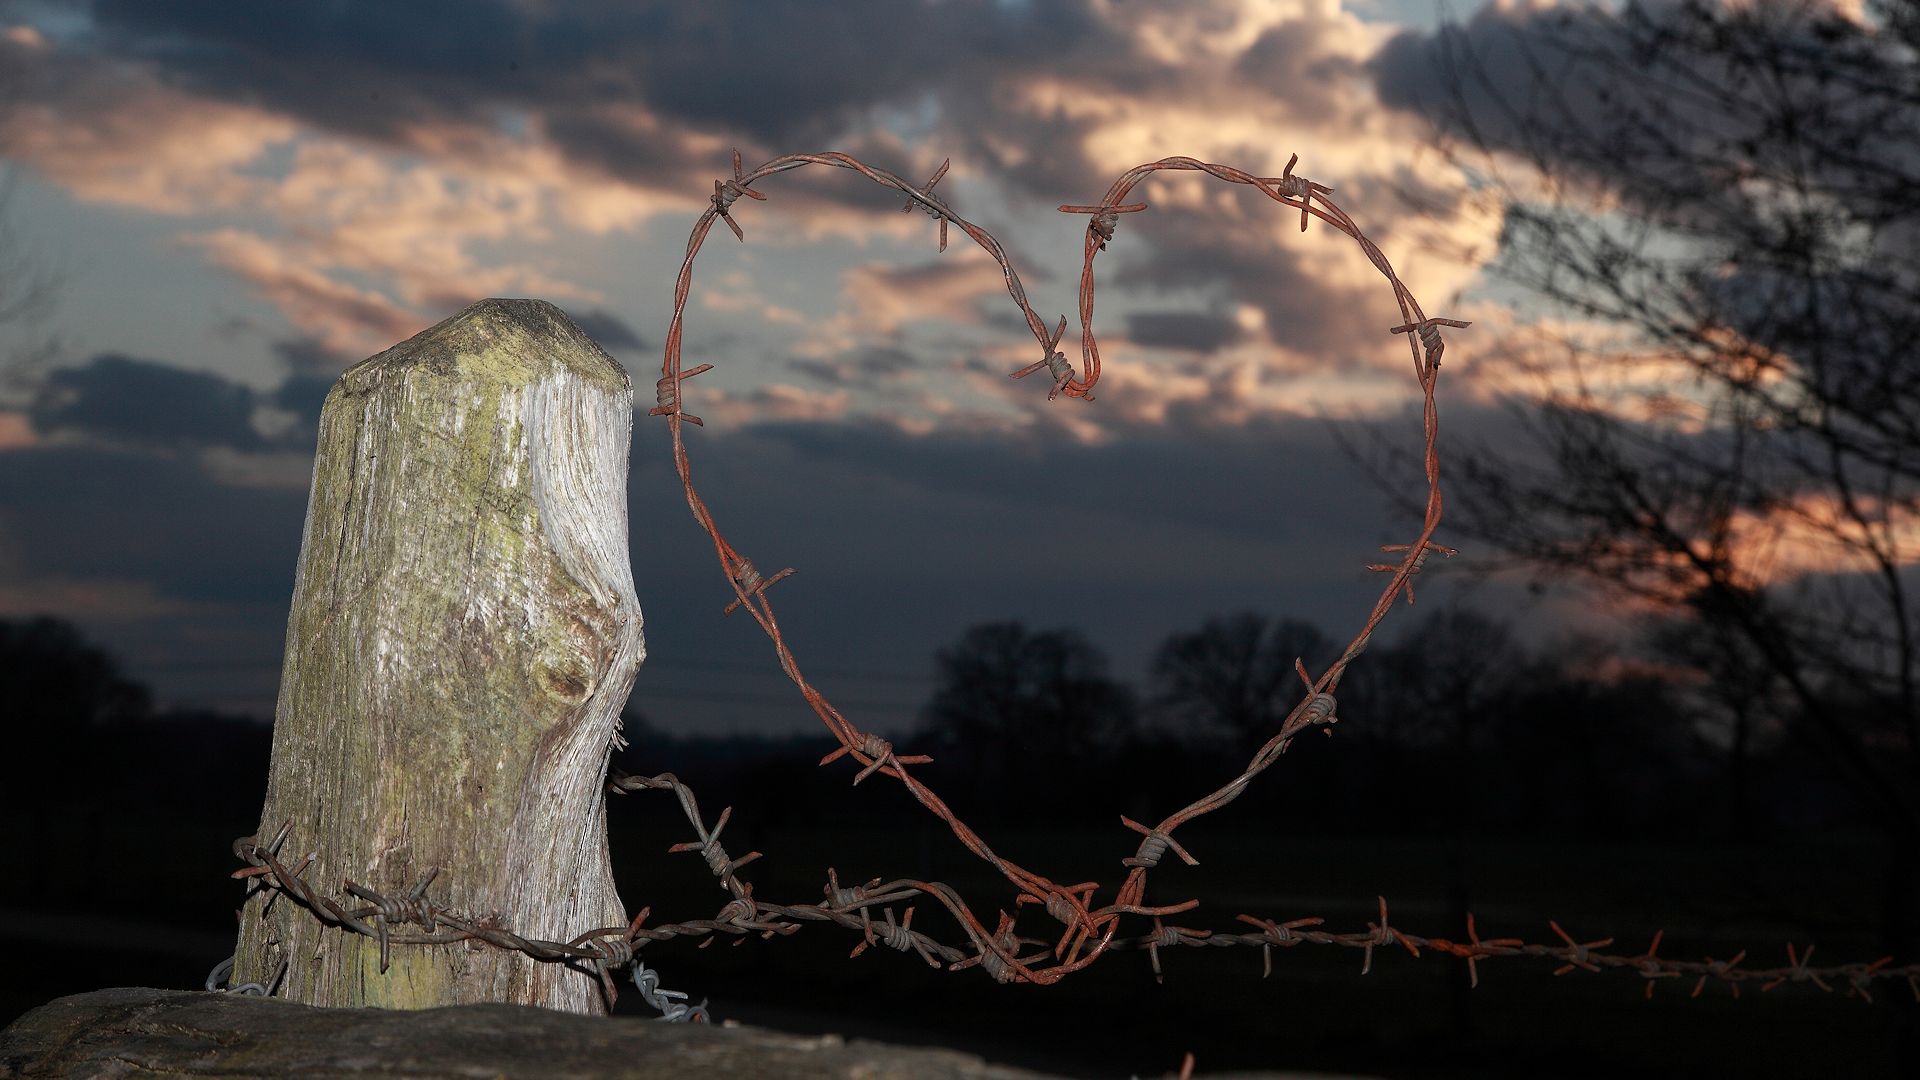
(114, 896)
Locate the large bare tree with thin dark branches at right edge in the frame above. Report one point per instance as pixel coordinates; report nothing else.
(1733, 195)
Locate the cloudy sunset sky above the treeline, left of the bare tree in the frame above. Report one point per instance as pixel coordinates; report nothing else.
(229, 205)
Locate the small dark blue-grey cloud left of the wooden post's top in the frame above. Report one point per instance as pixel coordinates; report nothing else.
(145, 403)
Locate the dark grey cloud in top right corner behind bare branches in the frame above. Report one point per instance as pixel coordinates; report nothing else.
(1660, 101)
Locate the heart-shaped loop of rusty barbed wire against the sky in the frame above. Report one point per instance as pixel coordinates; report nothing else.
(1086, 931)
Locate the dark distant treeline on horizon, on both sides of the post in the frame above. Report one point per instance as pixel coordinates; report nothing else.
(1452, 725)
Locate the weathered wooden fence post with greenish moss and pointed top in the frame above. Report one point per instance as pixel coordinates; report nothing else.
(462, 641)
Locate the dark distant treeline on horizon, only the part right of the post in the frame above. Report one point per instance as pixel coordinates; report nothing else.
(1456, 725)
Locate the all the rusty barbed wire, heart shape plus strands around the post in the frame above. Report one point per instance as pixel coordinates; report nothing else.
(1088, 929)
